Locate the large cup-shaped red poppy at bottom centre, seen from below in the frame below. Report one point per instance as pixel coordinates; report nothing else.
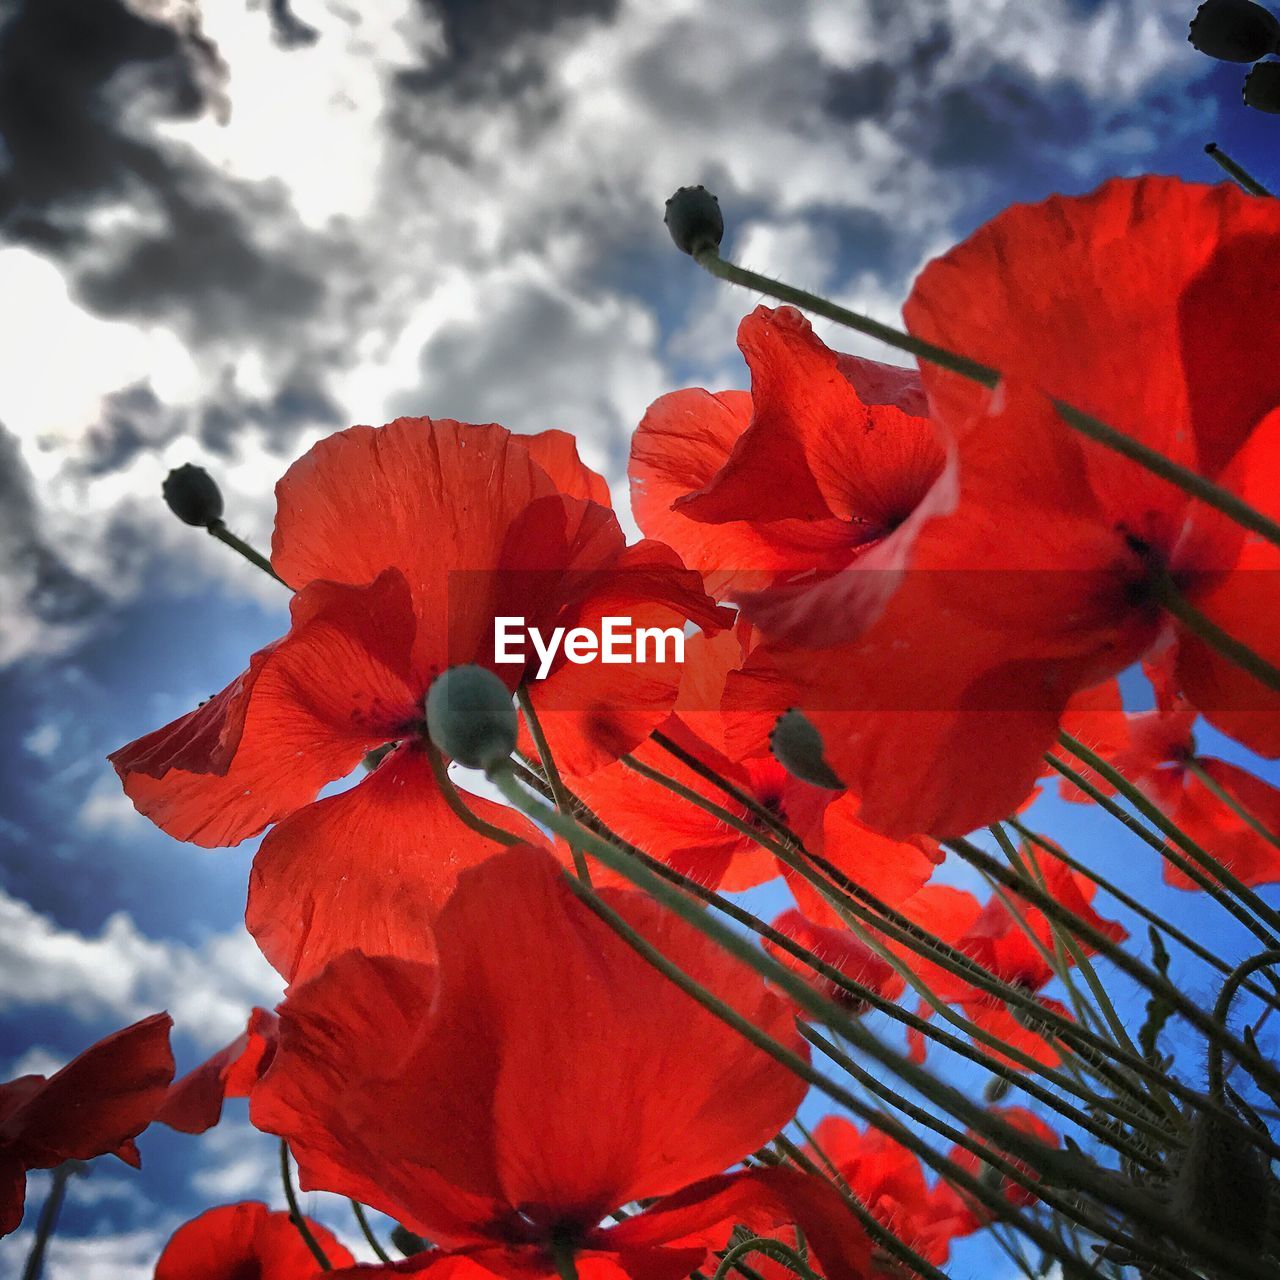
(505, 1100)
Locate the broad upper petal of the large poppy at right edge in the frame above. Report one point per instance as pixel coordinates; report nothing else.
(1150, 264)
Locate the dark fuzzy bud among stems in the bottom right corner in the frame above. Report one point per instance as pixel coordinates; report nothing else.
(1224, 1185)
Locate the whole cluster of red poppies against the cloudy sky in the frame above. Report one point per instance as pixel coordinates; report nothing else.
(941, 578)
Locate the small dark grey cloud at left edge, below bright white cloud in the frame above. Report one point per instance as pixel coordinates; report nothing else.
(39, 579)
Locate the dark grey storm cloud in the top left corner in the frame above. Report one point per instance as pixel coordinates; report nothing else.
(75, 79)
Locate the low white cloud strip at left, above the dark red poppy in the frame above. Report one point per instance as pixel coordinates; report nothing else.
(124, 976)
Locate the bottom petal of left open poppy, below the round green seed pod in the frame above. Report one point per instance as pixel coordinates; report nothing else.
(365, 870)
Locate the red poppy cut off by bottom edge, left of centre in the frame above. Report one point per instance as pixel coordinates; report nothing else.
(246, 1240)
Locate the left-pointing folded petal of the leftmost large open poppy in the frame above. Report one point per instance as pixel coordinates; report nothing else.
(304, 715)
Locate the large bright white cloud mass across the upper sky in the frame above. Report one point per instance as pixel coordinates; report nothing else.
(467, 252)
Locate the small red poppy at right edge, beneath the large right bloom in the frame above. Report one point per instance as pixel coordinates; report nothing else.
(1158, 753)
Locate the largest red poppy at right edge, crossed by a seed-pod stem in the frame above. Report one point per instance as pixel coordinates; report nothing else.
(1036, 570)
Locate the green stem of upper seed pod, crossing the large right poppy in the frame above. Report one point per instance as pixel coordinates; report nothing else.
(985, 376)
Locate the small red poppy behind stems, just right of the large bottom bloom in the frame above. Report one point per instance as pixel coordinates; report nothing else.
(890, 1182)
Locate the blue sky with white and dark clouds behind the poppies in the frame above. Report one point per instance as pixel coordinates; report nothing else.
(231, 227)
